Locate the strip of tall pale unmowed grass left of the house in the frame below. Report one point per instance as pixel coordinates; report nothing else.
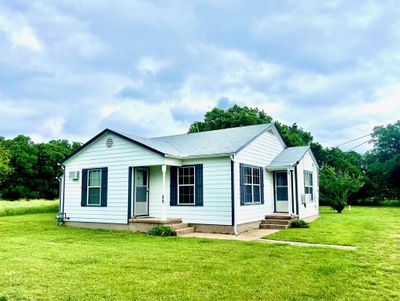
(9, 208)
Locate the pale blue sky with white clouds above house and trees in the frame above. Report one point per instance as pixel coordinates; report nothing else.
(69, 70)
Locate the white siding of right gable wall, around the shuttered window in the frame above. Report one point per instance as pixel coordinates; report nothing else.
(260, 153)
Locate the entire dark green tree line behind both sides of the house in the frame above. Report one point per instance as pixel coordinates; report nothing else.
(30, 170)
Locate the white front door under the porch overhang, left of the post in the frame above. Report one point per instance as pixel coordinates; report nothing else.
(141, 206)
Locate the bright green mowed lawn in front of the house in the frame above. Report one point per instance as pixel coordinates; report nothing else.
(41, 261)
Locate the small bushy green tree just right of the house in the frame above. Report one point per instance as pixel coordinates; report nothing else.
(336, 186)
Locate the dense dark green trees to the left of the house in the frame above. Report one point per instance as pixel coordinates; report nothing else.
(30, 170)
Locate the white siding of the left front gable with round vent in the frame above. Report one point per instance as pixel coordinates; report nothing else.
(117, 158)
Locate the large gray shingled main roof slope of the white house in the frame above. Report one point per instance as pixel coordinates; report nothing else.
(216, 142)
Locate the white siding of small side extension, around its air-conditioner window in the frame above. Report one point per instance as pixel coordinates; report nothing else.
(307, 164)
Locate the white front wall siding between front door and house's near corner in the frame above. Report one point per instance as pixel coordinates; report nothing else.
(216, 207)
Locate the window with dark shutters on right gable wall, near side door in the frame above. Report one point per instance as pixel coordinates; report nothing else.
(252, 185)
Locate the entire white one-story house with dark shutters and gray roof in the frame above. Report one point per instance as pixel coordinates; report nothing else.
(224, 181)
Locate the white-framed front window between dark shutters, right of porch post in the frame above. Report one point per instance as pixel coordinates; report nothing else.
(186, 185)
